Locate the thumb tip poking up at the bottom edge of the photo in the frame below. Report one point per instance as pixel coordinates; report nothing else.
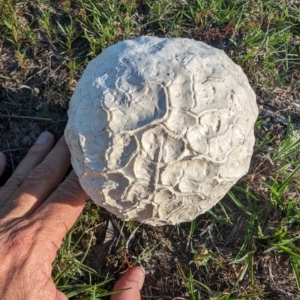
(133, 281)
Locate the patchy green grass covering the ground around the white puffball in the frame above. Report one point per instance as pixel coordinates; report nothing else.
(247, 244)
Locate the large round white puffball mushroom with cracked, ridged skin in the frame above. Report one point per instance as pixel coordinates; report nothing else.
(160, 129)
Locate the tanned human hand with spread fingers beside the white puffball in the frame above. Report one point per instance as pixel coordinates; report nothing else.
(36, 211)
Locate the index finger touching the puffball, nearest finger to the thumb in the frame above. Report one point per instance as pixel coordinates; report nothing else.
(61, 210)
